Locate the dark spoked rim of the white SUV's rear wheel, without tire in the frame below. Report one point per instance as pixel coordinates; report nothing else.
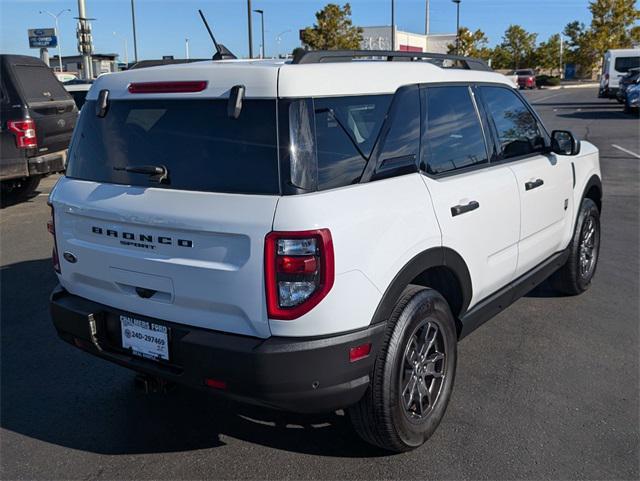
(423, 371)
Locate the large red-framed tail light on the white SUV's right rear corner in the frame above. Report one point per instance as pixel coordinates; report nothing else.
(299, 271)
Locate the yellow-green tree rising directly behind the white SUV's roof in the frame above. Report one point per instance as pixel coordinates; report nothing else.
(333, 30)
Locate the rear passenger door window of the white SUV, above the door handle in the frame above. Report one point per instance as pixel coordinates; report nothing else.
(452, 136)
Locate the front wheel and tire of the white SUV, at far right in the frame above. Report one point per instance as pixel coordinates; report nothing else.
(575, 276)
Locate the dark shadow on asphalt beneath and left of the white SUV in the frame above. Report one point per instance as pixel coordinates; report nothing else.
(54, 393)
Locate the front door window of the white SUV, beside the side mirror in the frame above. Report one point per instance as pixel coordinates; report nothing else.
(517, 129)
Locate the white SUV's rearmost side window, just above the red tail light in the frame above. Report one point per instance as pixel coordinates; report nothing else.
(346, 131)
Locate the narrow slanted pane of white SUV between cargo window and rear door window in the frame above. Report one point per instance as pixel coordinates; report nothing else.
(402, 141)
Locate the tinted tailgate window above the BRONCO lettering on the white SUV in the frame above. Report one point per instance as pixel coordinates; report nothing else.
(195, 140)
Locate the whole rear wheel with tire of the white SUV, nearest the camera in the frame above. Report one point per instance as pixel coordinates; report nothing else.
(396, 414)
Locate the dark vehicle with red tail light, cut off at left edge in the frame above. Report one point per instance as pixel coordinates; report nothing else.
(37, 117)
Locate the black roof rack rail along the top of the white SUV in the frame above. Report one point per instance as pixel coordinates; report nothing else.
(325, 56)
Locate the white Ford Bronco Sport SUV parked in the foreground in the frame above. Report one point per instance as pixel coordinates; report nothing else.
(314, 234)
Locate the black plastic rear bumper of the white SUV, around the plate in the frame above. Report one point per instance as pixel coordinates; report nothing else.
(293, 374)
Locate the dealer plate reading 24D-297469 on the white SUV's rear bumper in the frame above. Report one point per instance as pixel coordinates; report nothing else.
(145, 339)
